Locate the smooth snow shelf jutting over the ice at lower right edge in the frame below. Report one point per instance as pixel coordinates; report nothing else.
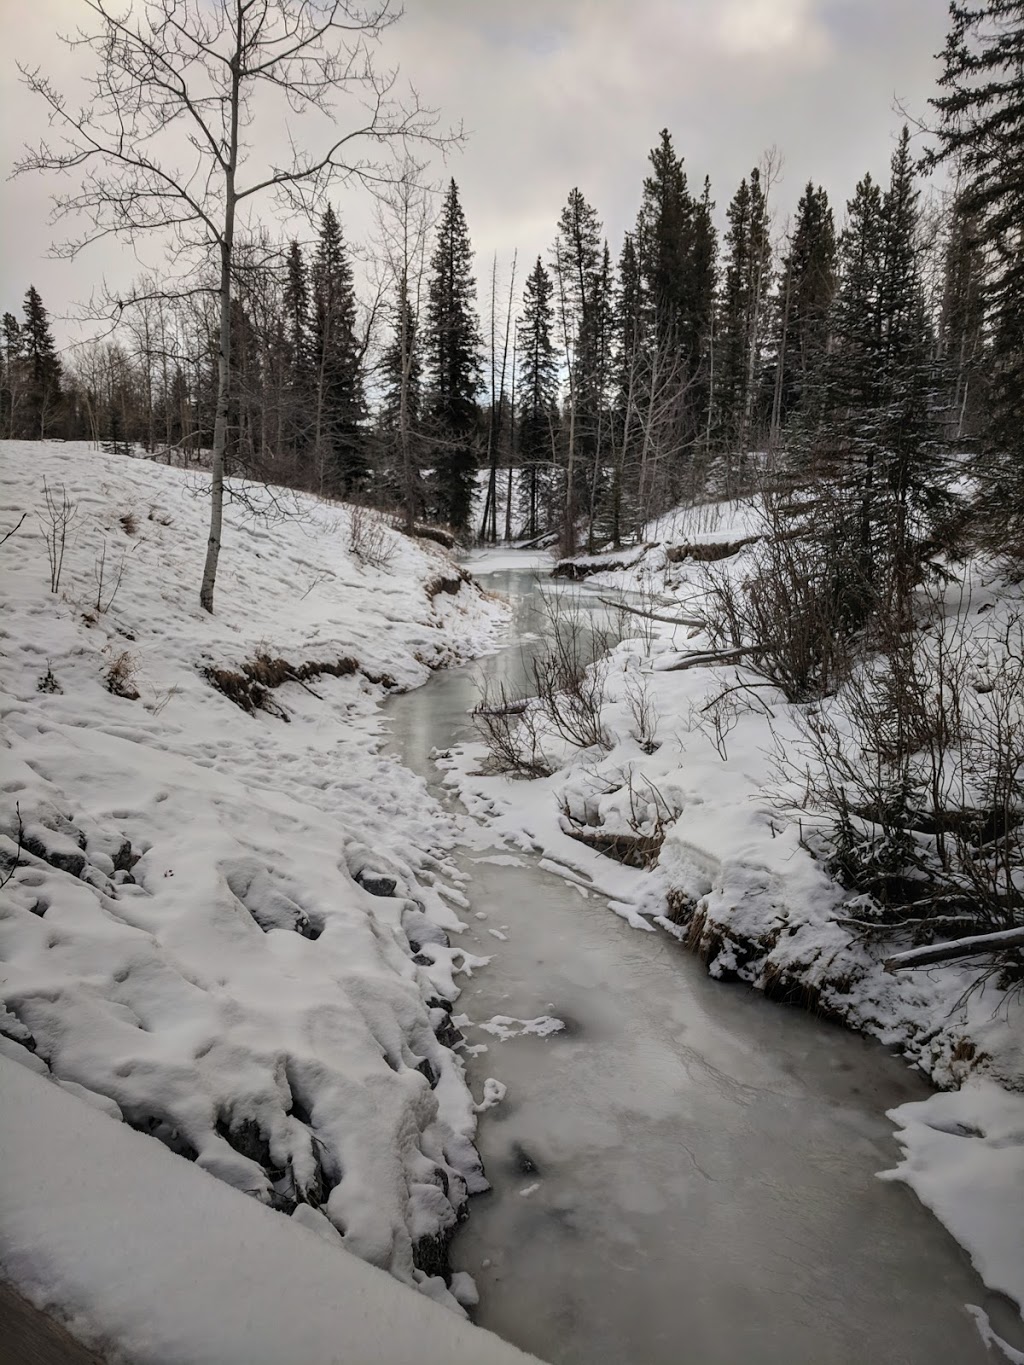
(965, 1160)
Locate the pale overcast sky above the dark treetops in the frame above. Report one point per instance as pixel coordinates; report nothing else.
(562, 94)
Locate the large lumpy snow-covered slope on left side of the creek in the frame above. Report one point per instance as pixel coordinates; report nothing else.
(188, 940)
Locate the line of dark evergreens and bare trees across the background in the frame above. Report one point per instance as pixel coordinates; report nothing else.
(870, 353)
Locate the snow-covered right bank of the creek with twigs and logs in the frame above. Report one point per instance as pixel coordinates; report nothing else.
(748, 893)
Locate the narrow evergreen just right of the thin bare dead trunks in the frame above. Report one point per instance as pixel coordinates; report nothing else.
(539, 398)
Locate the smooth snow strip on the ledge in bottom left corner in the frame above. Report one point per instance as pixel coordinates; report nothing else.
(152, 1263)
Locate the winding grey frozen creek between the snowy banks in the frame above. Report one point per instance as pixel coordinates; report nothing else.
(689, 1172)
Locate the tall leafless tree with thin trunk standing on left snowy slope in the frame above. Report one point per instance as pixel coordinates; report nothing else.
(166, 144)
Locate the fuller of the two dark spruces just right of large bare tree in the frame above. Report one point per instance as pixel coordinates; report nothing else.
(338, 382)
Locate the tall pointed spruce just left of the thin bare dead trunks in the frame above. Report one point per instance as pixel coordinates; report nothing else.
(453, 351)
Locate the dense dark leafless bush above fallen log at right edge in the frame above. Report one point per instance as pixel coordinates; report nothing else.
(918, 766)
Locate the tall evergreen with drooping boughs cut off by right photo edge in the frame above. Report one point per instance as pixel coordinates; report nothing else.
(982, 130)
